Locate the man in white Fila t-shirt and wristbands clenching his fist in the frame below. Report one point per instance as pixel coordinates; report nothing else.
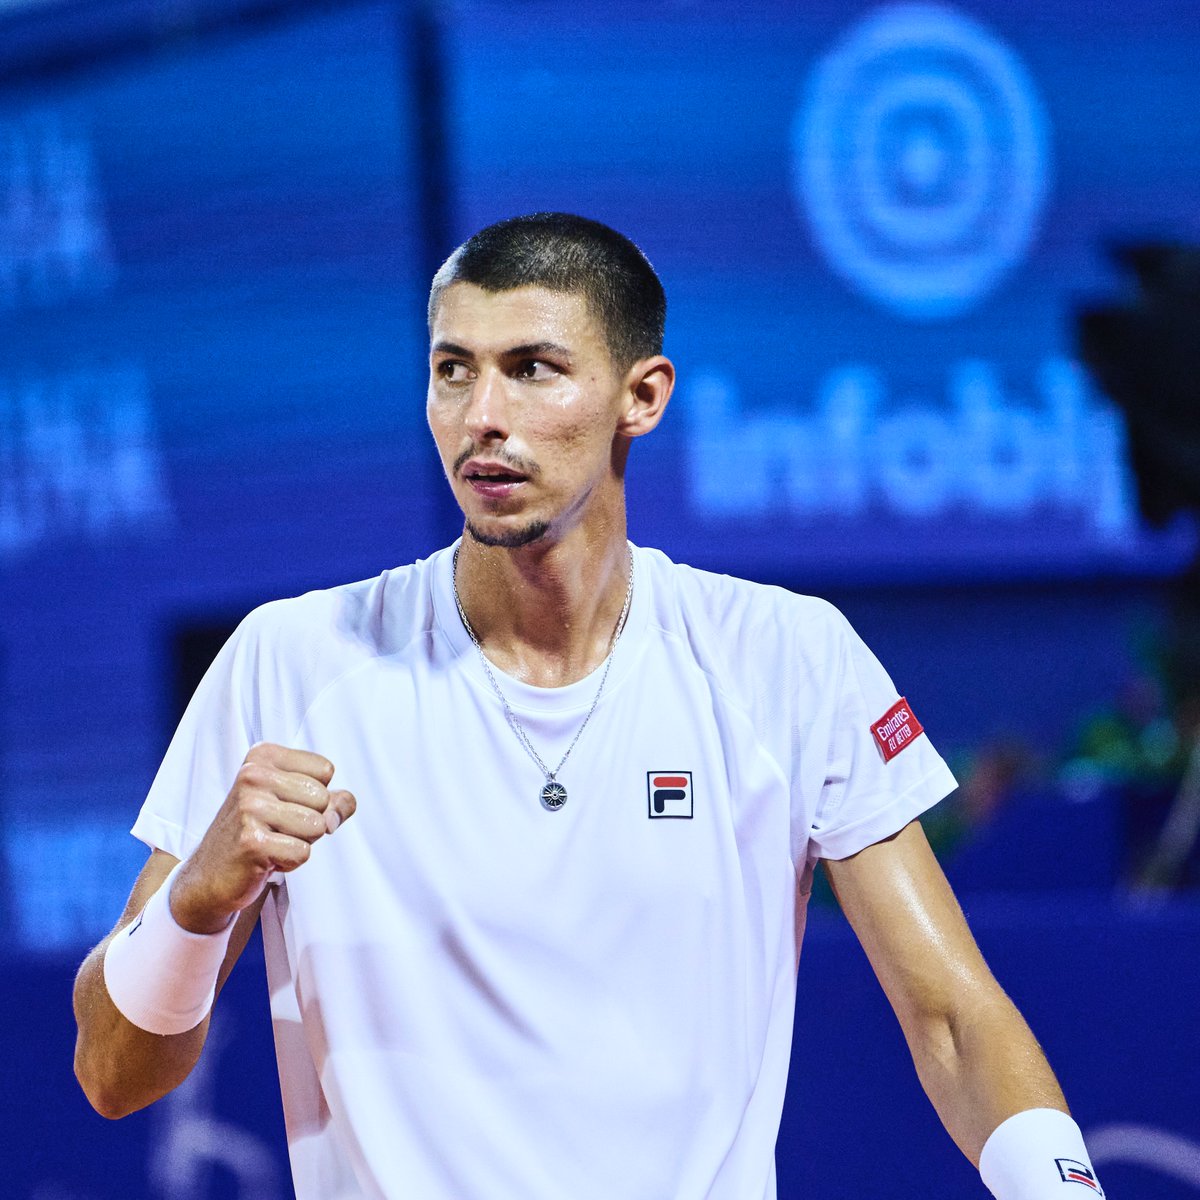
(554, 953)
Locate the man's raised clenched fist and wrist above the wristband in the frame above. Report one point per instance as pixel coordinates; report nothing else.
(279, 806)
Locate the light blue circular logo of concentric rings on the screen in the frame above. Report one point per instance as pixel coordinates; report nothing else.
(921, 157)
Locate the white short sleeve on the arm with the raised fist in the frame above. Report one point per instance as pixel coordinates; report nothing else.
(219, 728)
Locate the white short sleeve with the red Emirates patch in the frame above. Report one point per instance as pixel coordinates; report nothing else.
(866, 796)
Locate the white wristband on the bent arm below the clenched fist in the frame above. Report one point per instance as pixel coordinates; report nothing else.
(160, 976)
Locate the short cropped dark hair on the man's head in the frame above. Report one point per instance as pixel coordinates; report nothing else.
(572, 255)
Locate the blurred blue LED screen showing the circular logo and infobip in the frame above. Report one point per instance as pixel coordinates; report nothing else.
(874, 224)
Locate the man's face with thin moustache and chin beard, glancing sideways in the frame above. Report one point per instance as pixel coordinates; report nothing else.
(524, 403)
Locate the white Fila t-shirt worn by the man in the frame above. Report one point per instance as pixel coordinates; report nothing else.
(477, 999)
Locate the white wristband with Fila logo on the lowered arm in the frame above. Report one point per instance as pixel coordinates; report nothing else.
(1035, 1156)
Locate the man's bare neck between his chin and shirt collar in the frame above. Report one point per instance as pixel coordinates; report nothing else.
(545, 614)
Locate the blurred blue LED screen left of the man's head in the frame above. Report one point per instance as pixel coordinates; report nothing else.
(212, 387)
